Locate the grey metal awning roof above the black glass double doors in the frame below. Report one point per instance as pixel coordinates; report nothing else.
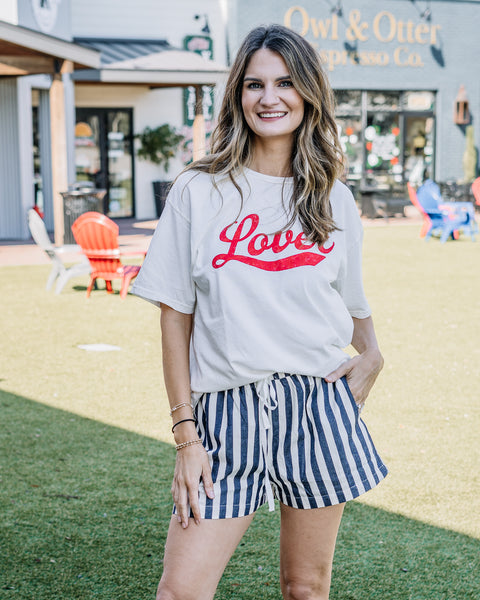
(149, 62)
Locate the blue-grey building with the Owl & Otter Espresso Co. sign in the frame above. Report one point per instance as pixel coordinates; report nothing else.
(397, 68)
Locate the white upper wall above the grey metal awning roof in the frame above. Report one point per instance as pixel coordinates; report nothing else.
(150, 19)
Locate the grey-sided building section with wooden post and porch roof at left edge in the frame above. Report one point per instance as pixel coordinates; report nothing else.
(36, 110)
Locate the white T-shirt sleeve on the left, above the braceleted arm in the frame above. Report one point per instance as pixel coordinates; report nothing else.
(166, 274)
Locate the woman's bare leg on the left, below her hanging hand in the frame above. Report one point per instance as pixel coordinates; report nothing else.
(196, 557)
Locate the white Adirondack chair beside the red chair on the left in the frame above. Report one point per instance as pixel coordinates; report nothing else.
(59, 273)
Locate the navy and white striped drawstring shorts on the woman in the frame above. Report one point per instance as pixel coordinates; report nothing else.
(292, 437)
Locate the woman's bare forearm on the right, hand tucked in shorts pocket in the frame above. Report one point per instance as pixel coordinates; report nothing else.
(361, 370)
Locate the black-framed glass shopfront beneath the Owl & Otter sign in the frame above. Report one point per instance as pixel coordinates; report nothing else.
(387, 136)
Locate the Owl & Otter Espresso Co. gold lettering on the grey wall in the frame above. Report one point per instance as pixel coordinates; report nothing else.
(352, 29)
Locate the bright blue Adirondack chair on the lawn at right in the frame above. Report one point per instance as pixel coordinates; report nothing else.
(445, 219)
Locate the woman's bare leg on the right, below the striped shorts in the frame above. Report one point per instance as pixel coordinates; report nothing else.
(307, 544)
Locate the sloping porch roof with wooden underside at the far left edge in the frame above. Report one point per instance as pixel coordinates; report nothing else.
(25, 52)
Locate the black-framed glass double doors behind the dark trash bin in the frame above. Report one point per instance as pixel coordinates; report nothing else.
(104, 156)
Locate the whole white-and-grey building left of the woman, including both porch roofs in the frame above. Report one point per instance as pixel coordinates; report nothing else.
(123, 68)
